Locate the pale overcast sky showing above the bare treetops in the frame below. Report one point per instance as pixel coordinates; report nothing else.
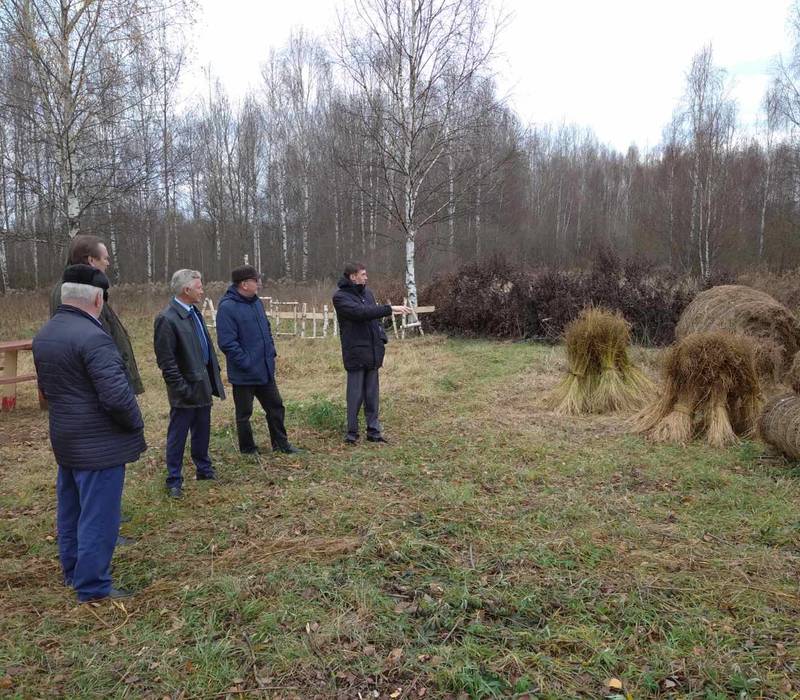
(617, 66)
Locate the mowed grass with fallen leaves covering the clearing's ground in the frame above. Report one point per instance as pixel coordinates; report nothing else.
(491, 549)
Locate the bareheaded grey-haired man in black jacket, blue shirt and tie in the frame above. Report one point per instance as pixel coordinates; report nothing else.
(188, 363)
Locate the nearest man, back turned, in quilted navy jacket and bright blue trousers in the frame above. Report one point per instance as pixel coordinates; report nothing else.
(95, 429)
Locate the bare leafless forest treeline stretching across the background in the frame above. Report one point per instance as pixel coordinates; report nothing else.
(389, 144)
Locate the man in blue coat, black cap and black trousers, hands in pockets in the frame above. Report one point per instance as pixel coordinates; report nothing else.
(244, 335)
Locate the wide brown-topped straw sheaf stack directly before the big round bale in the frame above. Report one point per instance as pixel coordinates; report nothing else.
(711, 389)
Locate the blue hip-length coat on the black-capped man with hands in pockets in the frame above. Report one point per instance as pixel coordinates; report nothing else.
(245, 336)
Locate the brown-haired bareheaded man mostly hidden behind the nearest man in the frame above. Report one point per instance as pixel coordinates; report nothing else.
(90, 250)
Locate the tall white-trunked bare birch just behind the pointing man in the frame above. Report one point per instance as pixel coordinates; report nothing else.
(413, 62)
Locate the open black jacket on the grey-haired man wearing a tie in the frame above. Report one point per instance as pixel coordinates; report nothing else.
(190, 383)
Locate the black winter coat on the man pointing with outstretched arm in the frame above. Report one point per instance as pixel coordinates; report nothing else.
(360, 332)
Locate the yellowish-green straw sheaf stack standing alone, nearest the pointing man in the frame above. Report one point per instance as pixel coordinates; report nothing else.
(601, 377)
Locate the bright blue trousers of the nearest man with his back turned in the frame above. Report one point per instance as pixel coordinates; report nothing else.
(87, 519)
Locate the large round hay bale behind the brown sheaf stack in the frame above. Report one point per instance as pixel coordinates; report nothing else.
(750, 312)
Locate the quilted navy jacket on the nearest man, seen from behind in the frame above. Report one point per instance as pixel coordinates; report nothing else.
(95, 422)
